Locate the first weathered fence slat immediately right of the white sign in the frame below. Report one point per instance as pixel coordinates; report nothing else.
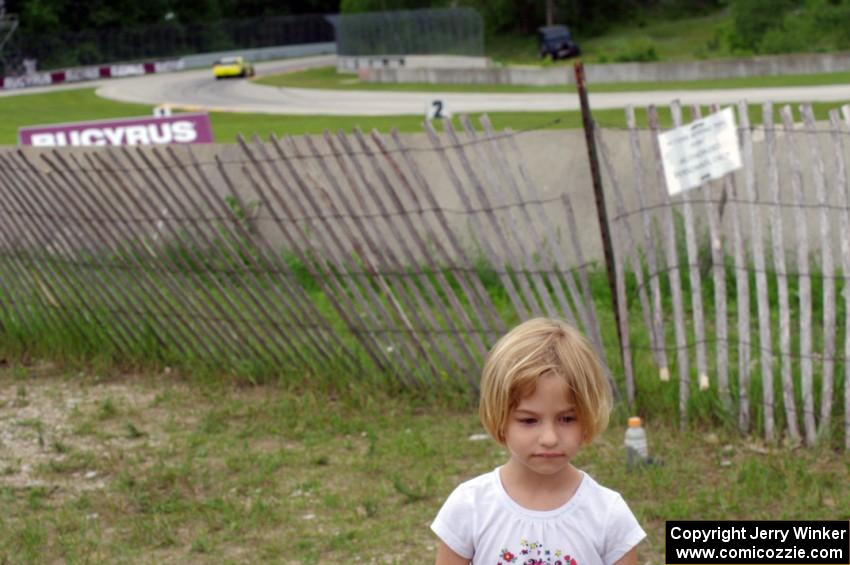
(762, 299)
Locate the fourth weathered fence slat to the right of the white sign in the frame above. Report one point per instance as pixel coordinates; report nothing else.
(827, 270)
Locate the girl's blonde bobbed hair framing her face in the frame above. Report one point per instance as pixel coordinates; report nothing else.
(527, 352)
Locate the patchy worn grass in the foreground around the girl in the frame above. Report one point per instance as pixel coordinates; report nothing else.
(226, 473)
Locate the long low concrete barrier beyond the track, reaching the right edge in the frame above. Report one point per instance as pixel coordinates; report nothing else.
(774, 65)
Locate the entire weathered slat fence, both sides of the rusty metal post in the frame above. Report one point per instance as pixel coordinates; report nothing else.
(376, 255)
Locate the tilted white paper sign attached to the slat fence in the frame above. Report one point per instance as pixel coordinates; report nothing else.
(703, 150)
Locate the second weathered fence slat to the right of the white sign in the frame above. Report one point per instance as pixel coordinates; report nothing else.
(781, 274)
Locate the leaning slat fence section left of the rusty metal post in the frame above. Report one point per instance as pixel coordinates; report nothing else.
(316, 253)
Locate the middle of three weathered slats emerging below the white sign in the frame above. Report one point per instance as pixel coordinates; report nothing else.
(718, 272)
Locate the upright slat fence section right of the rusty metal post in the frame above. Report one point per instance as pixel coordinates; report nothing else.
(735, 285)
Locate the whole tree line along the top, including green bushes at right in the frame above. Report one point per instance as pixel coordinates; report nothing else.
(754, 26)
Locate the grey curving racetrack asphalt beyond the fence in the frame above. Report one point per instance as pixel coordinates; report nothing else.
(197, 90)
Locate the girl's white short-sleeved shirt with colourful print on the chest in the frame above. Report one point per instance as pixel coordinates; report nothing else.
(480, 522)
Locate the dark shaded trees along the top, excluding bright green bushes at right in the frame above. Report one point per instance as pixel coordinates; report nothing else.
(588, 16)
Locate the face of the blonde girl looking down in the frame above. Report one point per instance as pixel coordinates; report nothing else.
(543, 433)
